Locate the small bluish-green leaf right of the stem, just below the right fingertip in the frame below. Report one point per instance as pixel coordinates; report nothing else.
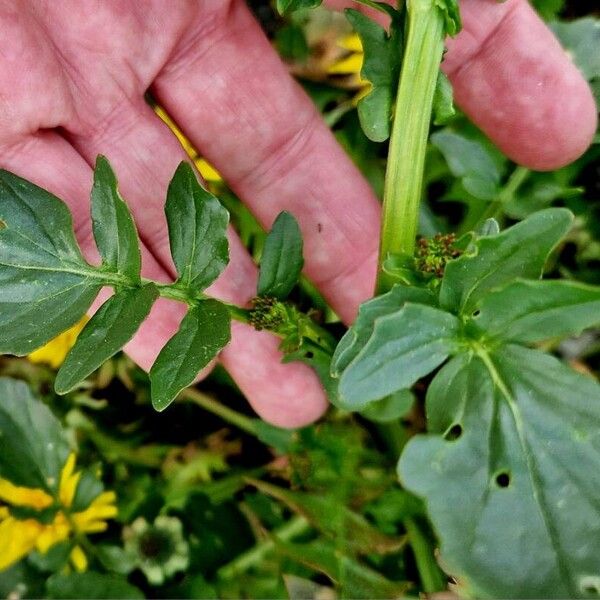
(470, 161)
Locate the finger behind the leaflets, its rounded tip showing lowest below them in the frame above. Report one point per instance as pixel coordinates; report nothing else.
(145, 155)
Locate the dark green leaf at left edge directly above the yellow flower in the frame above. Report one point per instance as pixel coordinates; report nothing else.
(32, 447)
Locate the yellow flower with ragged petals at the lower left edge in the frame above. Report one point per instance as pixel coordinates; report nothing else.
(18, 537)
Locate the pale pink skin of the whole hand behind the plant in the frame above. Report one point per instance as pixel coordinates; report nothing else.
(72, 82)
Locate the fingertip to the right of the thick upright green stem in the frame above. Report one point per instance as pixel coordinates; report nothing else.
(513, 79)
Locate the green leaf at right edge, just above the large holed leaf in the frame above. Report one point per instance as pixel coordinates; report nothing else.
(533, 311)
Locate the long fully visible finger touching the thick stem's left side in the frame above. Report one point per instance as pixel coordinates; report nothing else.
(234, 98)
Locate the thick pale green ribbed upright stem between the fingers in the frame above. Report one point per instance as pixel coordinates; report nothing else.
(410, 130)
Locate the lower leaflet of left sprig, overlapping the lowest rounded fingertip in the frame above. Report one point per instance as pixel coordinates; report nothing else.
(203, 333)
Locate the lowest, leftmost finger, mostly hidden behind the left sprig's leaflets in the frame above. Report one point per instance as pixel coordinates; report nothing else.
(49, 161)
